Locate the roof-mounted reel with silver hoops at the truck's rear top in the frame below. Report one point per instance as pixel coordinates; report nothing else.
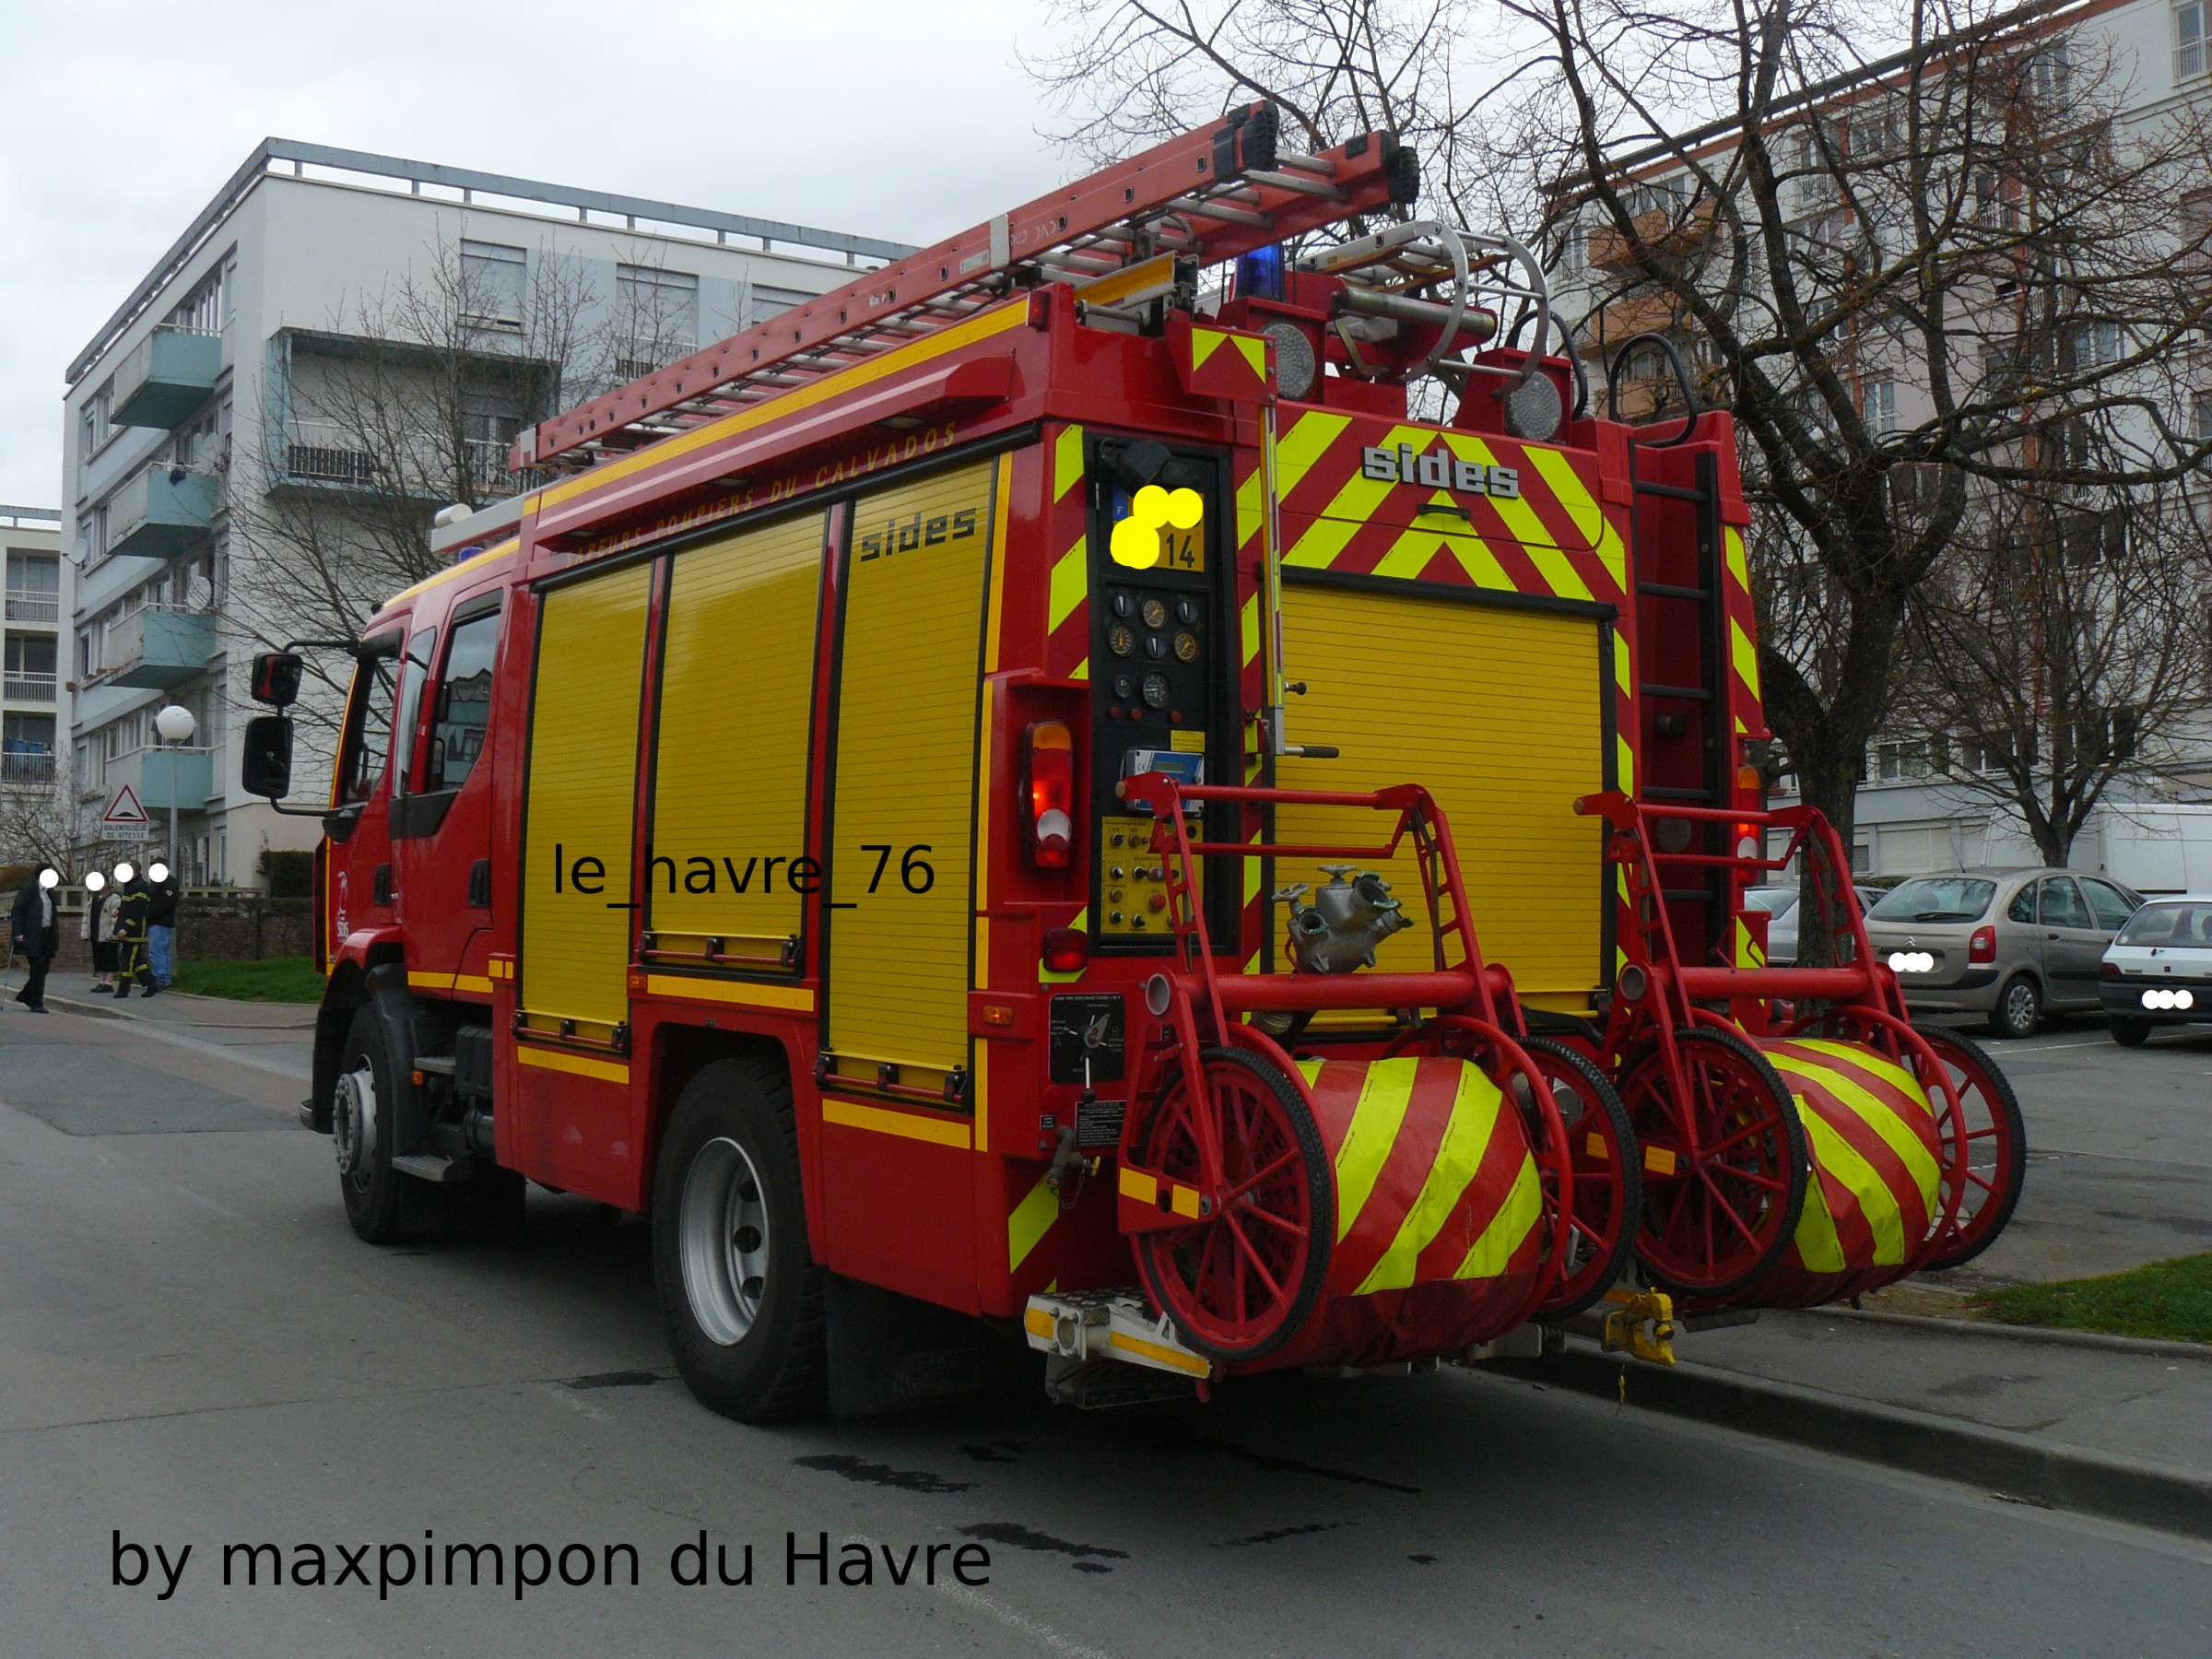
(1421, 293)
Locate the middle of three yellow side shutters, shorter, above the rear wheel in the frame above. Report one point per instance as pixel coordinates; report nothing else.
(738, 707)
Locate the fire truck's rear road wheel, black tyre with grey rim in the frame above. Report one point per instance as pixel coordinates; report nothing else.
(753, 1346)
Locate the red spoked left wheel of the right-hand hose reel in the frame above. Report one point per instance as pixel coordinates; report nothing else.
(1724, 1162)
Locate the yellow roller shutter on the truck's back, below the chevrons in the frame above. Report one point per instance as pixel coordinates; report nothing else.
(1501, 716)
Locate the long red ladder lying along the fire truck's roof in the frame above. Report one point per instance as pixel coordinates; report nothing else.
(1209, 196)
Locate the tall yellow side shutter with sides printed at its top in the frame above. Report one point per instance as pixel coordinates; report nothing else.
(906, 775)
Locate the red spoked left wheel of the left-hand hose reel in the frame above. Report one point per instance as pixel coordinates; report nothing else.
(1242, 1280)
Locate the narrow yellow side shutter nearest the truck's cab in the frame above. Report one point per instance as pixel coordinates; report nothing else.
(583, 802)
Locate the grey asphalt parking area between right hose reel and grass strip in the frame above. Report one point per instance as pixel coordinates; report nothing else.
(2120, 1154)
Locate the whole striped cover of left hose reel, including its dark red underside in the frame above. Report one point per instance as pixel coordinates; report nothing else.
(1437, 1211)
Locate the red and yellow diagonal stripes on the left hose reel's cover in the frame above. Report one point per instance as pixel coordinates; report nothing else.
(1434, 1178)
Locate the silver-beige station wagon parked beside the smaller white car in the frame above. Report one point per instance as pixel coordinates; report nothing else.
(2005, 943)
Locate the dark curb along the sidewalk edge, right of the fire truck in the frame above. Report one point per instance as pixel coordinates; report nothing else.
(2003, 1461)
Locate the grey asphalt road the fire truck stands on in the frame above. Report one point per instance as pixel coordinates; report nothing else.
(196, 1353)
